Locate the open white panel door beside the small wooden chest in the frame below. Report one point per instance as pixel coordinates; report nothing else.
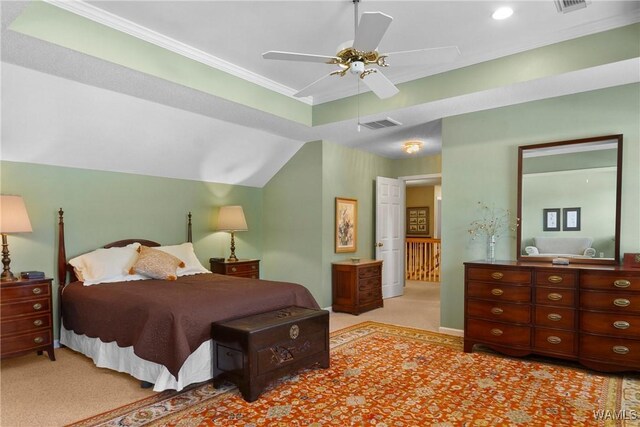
(390, 234)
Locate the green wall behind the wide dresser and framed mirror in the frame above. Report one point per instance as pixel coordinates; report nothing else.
(479, 163)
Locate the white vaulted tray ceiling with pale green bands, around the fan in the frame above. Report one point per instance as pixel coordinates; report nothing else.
(180, 89)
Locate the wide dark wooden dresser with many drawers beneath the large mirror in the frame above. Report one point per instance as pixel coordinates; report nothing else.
(587, 313)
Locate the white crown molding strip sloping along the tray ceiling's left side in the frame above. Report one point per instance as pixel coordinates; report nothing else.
(118, 23)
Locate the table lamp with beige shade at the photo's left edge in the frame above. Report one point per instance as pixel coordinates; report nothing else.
(13, 219)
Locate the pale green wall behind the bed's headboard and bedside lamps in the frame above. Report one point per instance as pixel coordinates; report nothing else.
(102, 207)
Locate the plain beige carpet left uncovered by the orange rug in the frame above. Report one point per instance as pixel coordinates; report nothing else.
(37, 392)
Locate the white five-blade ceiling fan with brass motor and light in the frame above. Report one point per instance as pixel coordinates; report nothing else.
(360, 56)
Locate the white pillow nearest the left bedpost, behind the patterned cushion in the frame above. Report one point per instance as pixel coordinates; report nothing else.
(107, 265)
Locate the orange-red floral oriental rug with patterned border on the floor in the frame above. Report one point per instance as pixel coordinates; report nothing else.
(383, 375)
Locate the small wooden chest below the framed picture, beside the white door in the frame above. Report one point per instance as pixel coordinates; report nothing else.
(356, 286)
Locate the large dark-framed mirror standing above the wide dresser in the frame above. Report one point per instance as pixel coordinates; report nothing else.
(569, 197)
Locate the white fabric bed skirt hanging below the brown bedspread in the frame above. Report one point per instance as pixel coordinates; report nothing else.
(196, 368)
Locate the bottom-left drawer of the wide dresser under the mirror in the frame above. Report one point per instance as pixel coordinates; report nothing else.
(498, 333)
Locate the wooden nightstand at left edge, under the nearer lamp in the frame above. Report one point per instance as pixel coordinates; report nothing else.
(26, 317)
